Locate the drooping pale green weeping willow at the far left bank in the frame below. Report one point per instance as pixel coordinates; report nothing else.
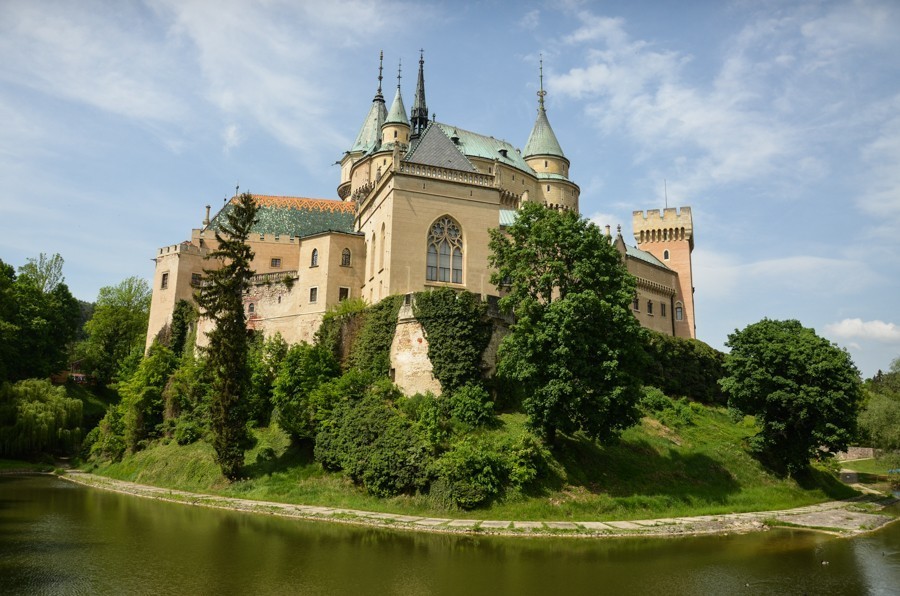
(36, 417)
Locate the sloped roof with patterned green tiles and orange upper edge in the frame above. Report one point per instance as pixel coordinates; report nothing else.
(295, 215)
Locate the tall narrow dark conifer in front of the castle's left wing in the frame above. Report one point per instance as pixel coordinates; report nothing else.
(221, 300)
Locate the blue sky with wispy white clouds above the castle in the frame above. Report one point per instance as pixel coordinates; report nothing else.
(777, 122)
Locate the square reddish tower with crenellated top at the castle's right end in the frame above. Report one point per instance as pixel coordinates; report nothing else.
(670, 238)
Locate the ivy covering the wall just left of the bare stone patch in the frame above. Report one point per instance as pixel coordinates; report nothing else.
(371, 352)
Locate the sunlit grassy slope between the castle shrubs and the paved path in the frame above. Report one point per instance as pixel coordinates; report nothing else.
(686, 460)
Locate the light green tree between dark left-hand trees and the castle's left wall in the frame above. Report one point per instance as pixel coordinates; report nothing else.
(118, 326)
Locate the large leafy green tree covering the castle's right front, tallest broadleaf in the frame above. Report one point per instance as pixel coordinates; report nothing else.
(575, 345)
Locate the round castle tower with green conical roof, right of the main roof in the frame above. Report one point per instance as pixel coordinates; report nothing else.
(545, 156)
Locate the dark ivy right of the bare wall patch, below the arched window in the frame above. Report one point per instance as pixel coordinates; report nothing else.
(458, 331)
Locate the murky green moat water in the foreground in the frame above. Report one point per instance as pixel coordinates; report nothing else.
(60, 538)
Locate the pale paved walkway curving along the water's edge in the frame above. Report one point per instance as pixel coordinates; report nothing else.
(844, 518)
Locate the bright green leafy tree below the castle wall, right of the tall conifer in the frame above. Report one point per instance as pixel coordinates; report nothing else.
(303, 370)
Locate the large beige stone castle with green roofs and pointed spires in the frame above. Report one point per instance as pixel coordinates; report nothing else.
(415, 202)
